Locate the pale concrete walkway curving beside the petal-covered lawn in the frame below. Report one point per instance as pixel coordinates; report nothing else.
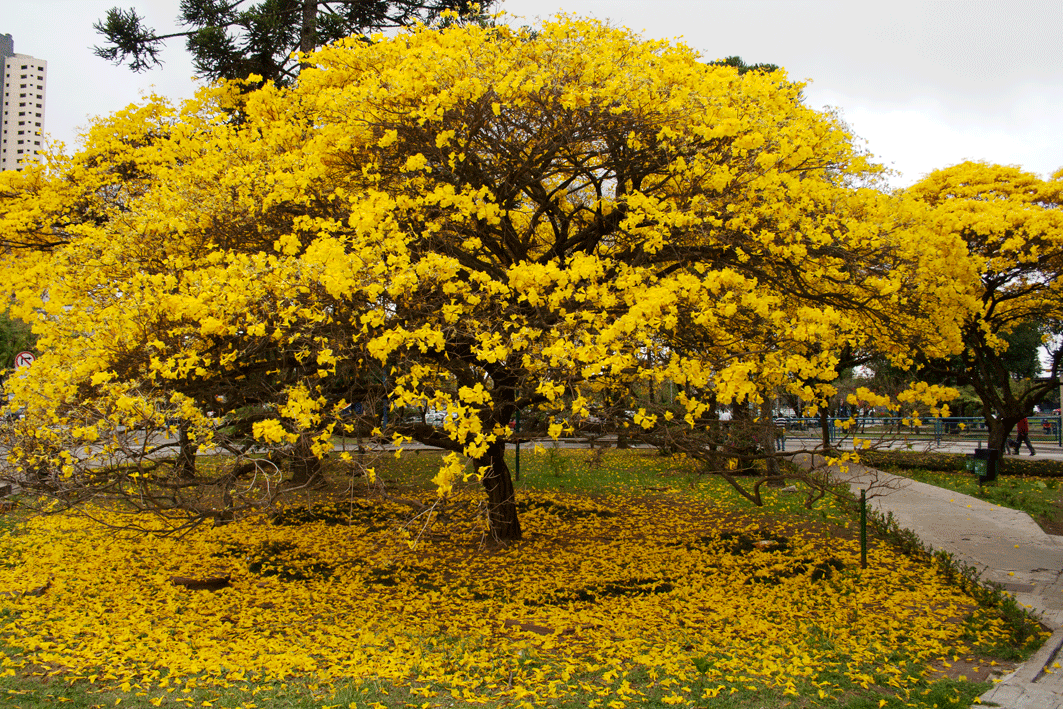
(1009, 549)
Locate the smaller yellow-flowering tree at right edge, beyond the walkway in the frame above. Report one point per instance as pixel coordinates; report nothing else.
(1013, 225)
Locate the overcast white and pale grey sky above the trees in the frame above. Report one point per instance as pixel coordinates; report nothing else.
(925, 85)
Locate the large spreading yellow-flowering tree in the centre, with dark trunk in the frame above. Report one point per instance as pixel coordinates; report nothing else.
(480, 221)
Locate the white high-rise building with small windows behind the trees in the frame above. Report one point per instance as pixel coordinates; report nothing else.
(23, 110)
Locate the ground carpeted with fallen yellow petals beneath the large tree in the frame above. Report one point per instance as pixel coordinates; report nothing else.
(667, 597)
